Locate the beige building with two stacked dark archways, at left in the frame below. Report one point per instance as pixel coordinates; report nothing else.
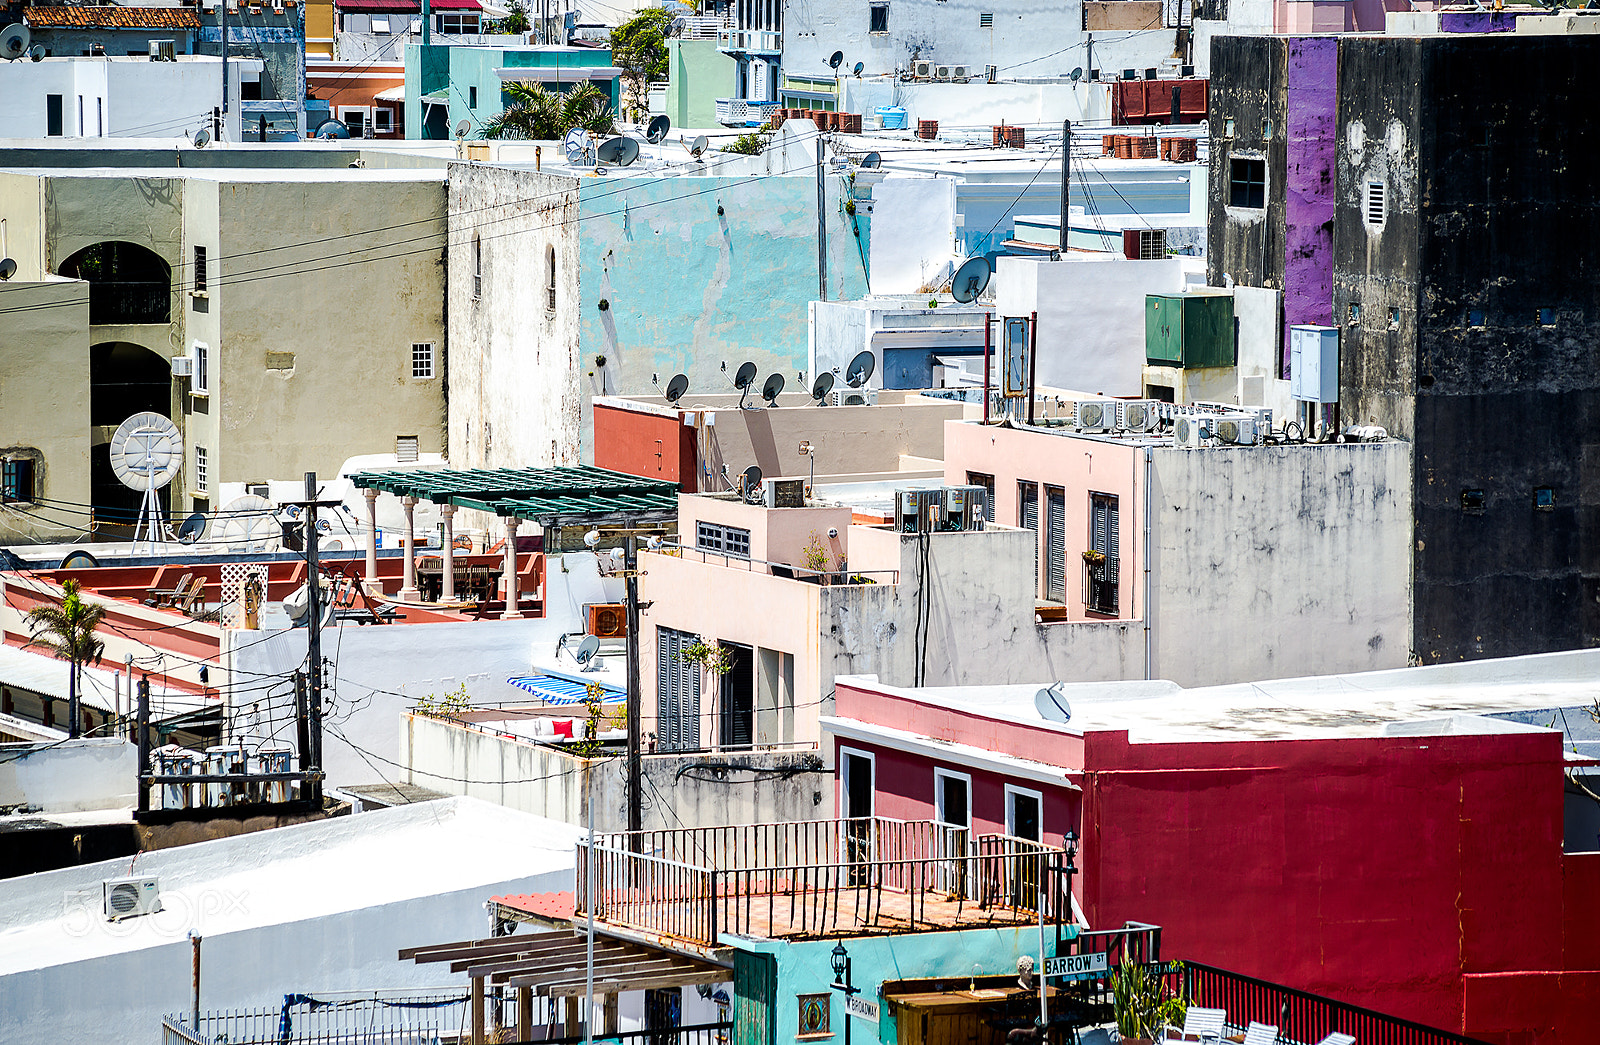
(284, 319)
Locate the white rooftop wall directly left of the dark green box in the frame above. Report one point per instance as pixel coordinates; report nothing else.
(1090, 316)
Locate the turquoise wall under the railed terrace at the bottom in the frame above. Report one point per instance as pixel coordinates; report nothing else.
(806, 967)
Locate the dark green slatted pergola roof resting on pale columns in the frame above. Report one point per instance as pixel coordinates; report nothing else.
(551, 497)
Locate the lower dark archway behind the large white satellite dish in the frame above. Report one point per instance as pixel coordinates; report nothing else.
(124, 380)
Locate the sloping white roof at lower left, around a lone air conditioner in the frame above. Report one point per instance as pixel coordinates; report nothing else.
(287, 875)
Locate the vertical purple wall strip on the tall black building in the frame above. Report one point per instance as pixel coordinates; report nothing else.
(1310, 201)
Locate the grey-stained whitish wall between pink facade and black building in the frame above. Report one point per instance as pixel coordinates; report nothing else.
(1274, 563)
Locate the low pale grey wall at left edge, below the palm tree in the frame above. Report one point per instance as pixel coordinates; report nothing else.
(71, 777)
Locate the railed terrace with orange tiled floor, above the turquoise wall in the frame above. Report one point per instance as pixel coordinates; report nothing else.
(817, 878)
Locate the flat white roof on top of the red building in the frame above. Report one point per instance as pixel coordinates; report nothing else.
(1407, 702)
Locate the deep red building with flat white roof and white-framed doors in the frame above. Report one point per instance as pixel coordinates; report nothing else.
(1380, 839)
